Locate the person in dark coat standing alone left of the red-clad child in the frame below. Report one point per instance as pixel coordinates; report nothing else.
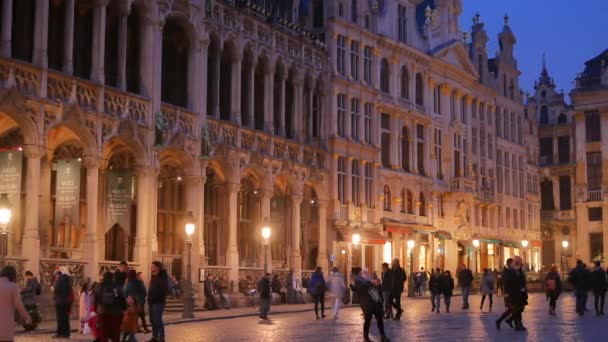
(63, 296)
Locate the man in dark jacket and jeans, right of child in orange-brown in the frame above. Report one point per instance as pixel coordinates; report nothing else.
(157, 293)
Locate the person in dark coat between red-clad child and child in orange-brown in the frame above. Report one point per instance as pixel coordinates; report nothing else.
(110, 304)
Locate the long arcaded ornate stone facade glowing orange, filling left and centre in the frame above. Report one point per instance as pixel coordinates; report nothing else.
(122, 120)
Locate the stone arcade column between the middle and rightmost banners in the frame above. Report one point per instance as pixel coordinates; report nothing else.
(91, 244)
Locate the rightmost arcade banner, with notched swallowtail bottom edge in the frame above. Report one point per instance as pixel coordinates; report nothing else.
(118, 198)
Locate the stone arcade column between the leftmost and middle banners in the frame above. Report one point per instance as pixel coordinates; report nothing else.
(31, 236)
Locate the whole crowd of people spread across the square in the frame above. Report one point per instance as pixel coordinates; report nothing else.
(112, 308)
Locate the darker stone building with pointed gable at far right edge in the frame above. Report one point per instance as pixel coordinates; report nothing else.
(573, 149)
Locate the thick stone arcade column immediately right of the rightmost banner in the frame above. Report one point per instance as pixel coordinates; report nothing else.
(146, 209)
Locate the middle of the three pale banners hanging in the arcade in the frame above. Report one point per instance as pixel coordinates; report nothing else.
(67, 196)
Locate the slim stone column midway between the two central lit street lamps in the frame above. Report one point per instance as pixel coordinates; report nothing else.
(232, 254)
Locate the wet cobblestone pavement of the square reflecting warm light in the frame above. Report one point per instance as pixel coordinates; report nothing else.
(418, 324)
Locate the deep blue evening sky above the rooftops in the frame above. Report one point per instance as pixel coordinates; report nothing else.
(569, 32)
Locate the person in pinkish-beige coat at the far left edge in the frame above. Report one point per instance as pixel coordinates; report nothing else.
(10, 303)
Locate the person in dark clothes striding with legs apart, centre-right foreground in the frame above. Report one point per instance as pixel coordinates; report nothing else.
(370, 301)
